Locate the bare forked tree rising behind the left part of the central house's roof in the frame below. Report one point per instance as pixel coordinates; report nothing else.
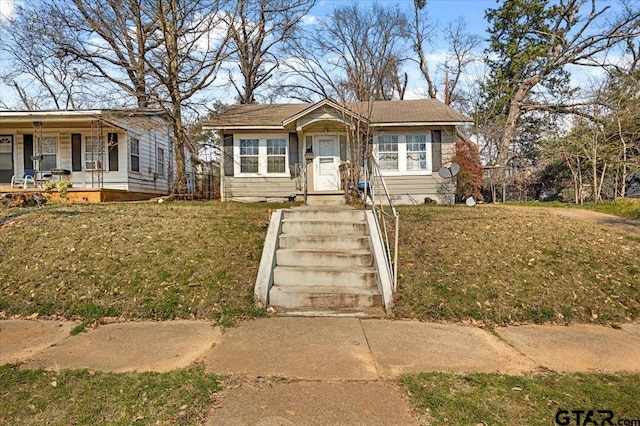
(257, 29)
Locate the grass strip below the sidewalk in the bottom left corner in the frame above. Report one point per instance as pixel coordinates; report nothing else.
(81, 397)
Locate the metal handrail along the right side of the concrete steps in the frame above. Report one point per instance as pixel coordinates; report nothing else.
(376, 196)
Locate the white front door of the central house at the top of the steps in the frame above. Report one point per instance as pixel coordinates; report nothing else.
(326, 163)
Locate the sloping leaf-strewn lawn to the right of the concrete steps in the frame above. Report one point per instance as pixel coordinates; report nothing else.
(510, 266)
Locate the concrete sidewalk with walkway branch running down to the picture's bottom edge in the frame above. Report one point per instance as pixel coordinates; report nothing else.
(346, 364)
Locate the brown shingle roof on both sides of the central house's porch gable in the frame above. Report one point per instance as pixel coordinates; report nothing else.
(381, 112)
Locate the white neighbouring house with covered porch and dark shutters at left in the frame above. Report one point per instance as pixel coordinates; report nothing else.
(106, 154)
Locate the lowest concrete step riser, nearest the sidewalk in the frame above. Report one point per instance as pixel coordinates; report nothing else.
(279, 297)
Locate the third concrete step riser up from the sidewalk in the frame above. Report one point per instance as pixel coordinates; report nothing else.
(322, 258)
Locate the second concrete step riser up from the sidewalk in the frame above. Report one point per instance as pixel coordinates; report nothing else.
(311, 277)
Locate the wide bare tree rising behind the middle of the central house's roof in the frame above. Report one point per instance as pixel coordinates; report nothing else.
(356, 54)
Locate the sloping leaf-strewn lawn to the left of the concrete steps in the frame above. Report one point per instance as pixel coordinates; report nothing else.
(135, 260)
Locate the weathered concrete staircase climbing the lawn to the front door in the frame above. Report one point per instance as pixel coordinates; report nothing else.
(324, 264)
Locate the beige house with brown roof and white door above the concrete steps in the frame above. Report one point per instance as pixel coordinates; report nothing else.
(268, 149)
